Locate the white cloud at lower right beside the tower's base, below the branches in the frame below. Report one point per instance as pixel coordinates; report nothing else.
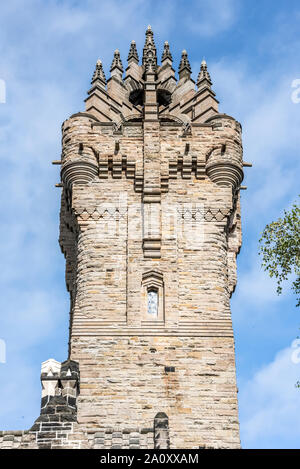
(270, 405)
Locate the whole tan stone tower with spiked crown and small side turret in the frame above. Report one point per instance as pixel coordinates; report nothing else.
(150, 229)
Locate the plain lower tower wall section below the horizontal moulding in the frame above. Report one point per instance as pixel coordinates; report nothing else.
(126, 381)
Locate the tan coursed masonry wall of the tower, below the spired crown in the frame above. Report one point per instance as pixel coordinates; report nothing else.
(123, 356)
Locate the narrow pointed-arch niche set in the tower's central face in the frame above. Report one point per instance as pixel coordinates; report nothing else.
(153, 297)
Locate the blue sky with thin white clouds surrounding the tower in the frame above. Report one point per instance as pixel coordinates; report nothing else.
(48, 51)
